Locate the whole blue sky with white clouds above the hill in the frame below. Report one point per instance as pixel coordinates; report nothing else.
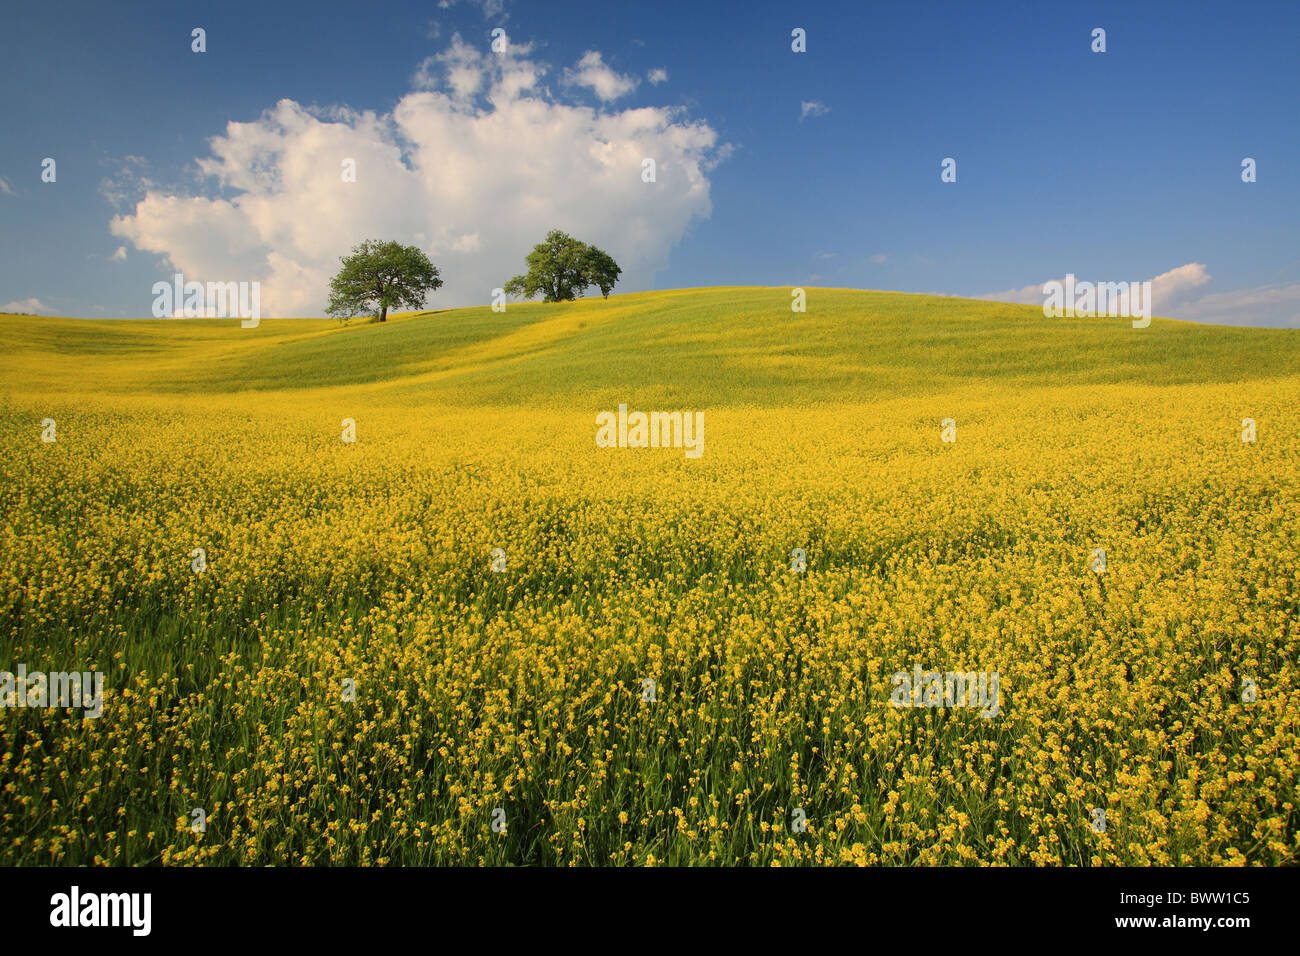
(1115, 167)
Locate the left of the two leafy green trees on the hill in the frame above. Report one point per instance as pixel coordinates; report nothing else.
(379, 276)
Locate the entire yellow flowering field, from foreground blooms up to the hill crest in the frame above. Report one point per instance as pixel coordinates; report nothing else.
(474, 637)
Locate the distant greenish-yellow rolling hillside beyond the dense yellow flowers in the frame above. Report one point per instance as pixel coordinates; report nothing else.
(700, 347)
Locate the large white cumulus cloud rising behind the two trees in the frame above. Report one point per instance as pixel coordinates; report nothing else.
(474, 166)
